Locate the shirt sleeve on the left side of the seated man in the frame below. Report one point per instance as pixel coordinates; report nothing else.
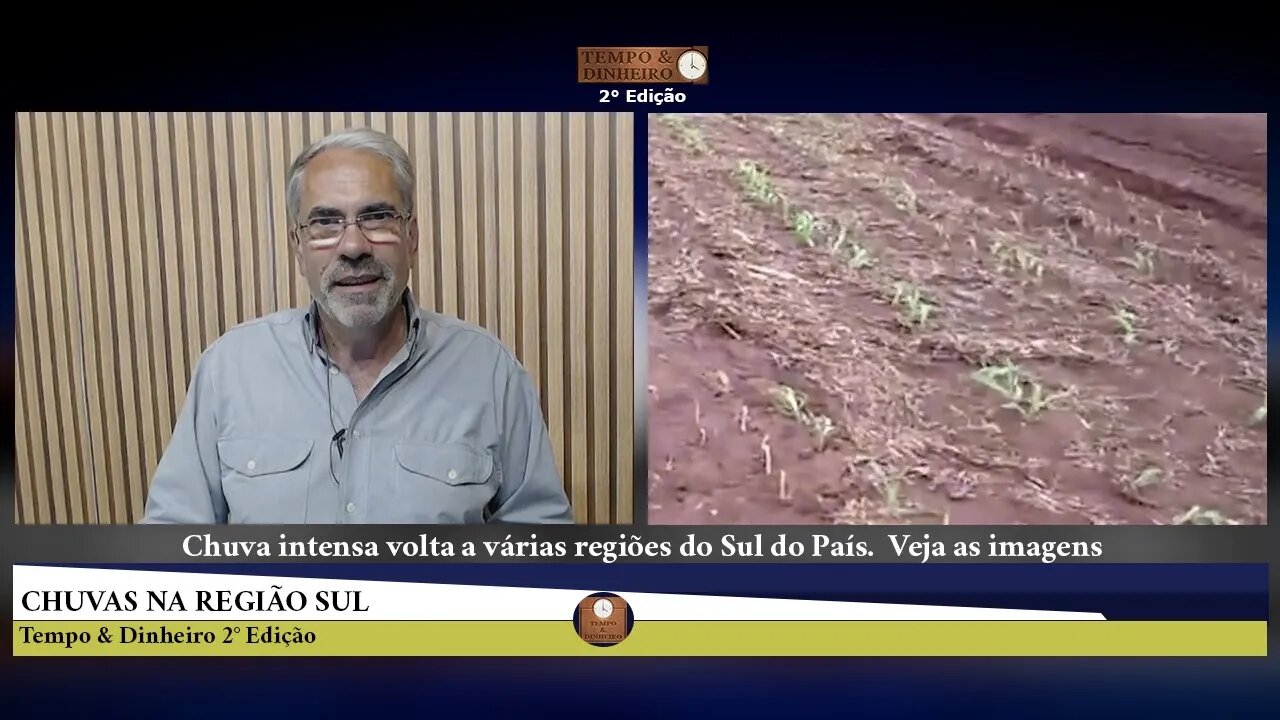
(188, 484)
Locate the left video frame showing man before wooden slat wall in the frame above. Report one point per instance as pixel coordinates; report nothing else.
(328, 318)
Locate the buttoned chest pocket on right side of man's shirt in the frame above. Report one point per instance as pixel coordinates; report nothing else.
(442, 482)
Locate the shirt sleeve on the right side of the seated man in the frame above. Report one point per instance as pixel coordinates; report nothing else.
(532, 489)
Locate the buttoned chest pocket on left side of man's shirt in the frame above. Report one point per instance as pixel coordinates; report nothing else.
(266, 480)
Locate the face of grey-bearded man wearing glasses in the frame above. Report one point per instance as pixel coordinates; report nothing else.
(358, 277)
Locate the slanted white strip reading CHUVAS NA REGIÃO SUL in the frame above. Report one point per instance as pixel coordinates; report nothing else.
(81, 594)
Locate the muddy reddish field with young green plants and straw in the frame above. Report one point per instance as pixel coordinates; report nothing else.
(968, 320)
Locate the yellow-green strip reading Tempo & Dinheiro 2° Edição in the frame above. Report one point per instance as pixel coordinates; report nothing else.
(648, 639)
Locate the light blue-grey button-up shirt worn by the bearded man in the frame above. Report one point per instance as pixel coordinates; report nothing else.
(451, 432)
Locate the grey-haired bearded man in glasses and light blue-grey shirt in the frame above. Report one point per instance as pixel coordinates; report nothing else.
(363, 408)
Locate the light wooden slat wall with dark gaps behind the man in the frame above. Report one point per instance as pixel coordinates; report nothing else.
(144, 236)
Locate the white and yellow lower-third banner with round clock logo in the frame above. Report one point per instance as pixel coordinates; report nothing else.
(79, 612)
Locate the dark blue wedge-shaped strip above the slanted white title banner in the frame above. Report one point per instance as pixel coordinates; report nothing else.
(1121, 593)
